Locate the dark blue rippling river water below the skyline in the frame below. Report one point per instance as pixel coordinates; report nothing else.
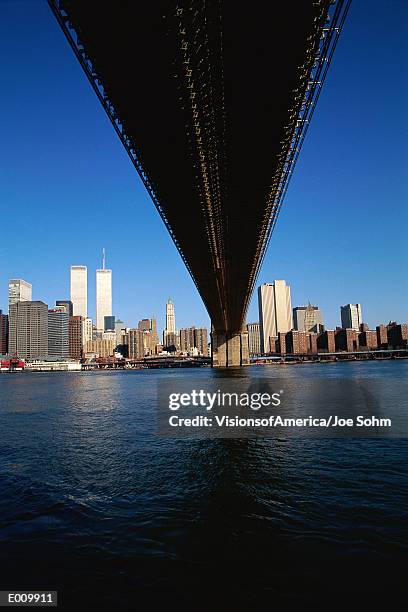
(97, 506)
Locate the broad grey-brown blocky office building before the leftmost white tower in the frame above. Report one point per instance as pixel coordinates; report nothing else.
(28, 329)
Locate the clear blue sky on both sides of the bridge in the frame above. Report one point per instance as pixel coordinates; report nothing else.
(67, 187)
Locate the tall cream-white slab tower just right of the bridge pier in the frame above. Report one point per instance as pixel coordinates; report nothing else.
(275, 311)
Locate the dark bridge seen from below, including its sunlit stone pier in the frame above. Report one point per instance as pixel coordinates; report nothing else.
(212, 100)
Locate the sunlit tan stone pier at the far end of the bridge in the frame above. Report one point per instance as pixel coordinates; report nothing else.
(229, 349)
